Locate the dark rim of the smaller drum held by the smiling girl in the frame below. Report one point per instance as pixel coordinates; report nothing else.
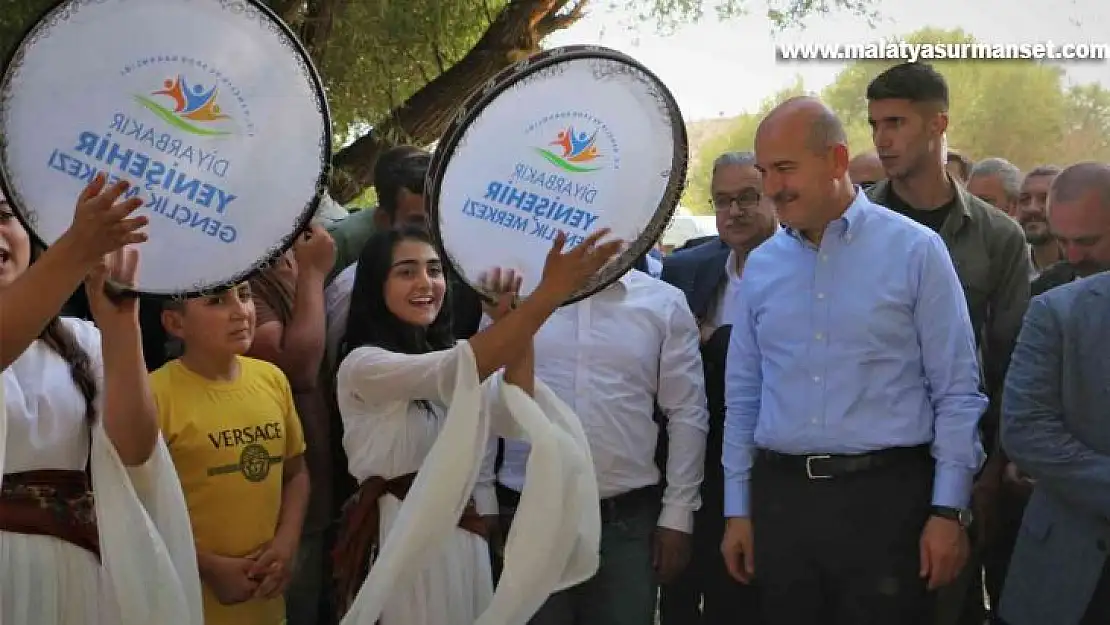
(477, 104)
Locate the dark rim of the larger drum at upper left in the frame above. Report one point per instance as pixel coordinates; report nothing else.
(302, 223)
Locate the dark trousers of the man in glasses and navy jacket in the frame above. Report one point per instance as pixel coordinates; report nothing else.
(705, 593)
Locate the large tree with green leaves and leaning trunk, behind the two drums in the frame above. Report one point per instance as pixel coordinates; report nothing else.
(402, 67)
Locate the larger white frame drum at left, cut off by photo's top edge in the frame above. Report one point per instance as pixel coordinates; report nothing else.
(210, 108)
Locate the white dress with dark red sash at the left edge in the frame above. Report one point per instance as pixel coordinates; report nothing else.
(118, 553)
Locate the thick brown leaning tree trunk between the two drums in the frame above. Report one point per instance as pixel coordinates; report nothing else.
(514, 35)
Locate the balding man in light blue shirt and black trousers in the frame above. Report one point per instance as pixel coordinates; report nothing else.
(853, 397)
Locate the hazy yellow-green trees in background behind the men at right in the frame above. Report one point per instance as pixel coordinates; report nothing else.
(1020, 110)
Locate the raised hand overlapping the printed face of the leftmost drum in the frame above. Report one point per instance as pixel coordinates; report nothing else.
(103, 224)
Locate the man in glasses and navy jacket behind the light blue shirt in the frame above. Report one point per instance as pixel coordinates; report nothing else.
(710, 276)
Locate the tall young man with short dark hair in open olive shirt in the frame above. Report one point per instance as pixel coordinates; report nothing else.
(909, 113)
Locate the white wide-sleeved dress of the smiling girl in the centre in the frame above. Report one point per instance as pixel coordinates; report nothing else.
(426, 416)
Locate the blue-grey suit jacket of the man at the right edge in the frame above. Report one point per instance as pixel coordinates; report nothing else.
(1056, 427)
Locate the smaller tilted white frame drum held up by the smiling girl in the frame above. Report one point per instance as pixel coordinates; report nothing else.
(574, 139)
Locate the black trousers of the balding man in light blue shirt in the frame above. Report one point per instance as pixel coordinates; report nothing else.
(843, 551)
